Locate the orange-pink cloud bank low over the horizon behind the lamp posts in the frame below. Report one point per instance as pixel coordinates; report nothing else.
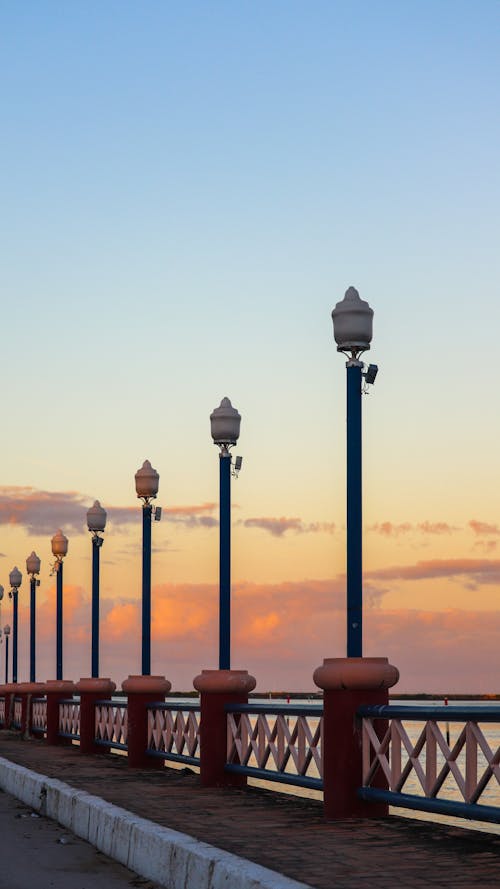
(281, 632)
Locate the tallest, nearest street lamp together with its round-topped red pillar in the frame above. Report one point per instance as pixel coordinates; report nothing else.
(355, 680)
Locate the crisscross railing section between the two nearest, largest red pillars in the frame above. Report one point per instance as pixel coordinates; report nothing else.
(279, 742)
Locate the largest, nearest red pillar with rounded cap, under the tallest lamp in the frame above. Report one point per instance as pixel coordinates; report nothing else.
(348, 683)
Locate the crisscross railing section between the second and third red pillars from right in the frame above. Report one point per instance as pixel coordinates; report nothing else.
(174, 732)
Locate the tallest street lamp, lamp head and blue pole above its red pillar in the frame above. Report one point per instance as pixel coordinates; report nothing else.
(353, 328)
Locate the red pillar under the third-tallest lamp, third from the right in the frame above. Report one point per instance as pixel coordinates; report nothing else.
(141, 691)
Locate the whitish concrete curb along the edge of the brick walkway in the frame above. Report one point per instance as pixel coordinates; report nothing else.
(170, 858)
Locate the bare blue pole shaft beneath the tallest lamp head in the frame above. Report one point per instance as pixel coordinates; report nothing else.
(354, 514)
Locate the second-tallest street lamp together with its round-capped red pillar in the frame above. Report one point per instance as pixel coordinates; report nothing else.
(223, 686)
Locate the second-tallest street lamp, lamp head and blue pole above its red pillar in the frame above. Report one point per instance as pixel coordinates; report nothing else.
(225, 428)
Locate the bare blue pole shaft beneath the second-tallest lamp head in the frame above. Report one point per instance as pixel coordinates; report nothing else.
(225, 562)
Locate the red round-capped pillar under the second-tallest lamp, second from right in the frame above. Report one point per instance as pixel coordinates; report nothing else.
(217, 689)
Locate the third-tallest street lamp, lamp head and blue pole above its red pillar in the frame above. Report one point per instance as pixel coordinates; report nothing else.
(147, 481)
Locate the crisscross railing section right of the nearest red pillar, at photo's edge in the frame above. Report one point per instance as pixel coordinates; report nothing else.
(422, 768)
